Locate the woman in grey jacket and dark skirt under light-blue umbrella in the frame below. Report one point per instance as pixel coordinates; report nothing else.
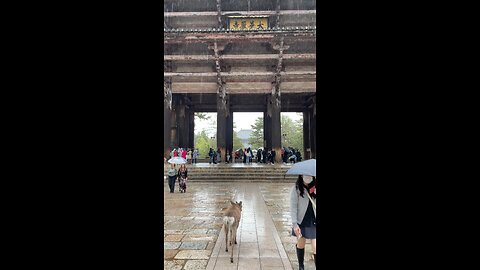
(303, 208)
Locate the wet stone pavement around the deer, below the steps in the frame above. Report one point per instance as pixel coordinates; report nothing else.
(193, 231)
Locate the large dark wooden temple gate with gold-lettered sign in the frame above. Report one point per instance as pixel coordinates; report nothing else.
(213, 62)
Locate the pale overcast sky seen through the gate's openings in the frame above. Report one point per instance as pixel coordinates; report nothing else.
(240, 120)
